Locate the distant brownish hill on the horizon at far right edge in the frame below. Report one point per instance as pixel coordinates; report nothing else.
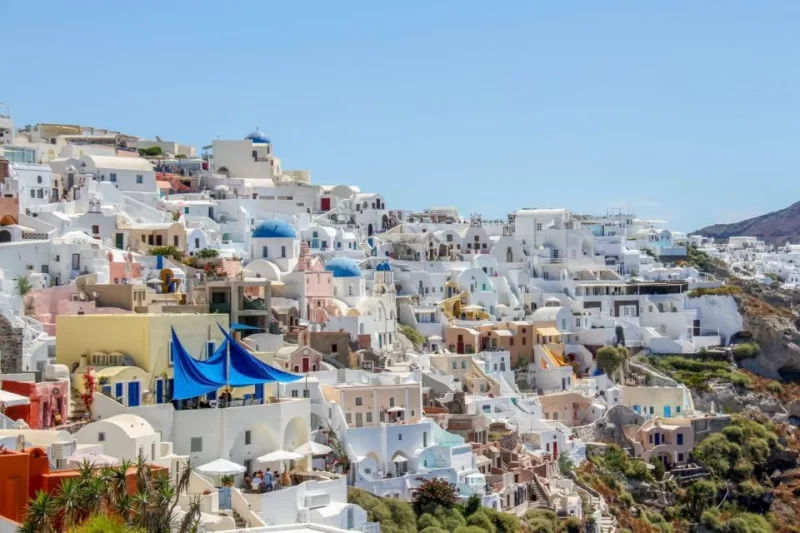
(778, 227)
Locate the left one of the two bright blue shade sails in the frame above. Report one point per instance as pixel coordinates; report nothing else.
(193, 378)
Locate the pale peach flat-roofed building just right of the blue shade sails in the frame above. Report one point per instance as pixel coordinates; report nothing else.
(371, 405)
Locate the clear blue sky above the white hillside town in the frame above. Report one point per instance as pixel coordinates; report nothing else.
(685, 110)
